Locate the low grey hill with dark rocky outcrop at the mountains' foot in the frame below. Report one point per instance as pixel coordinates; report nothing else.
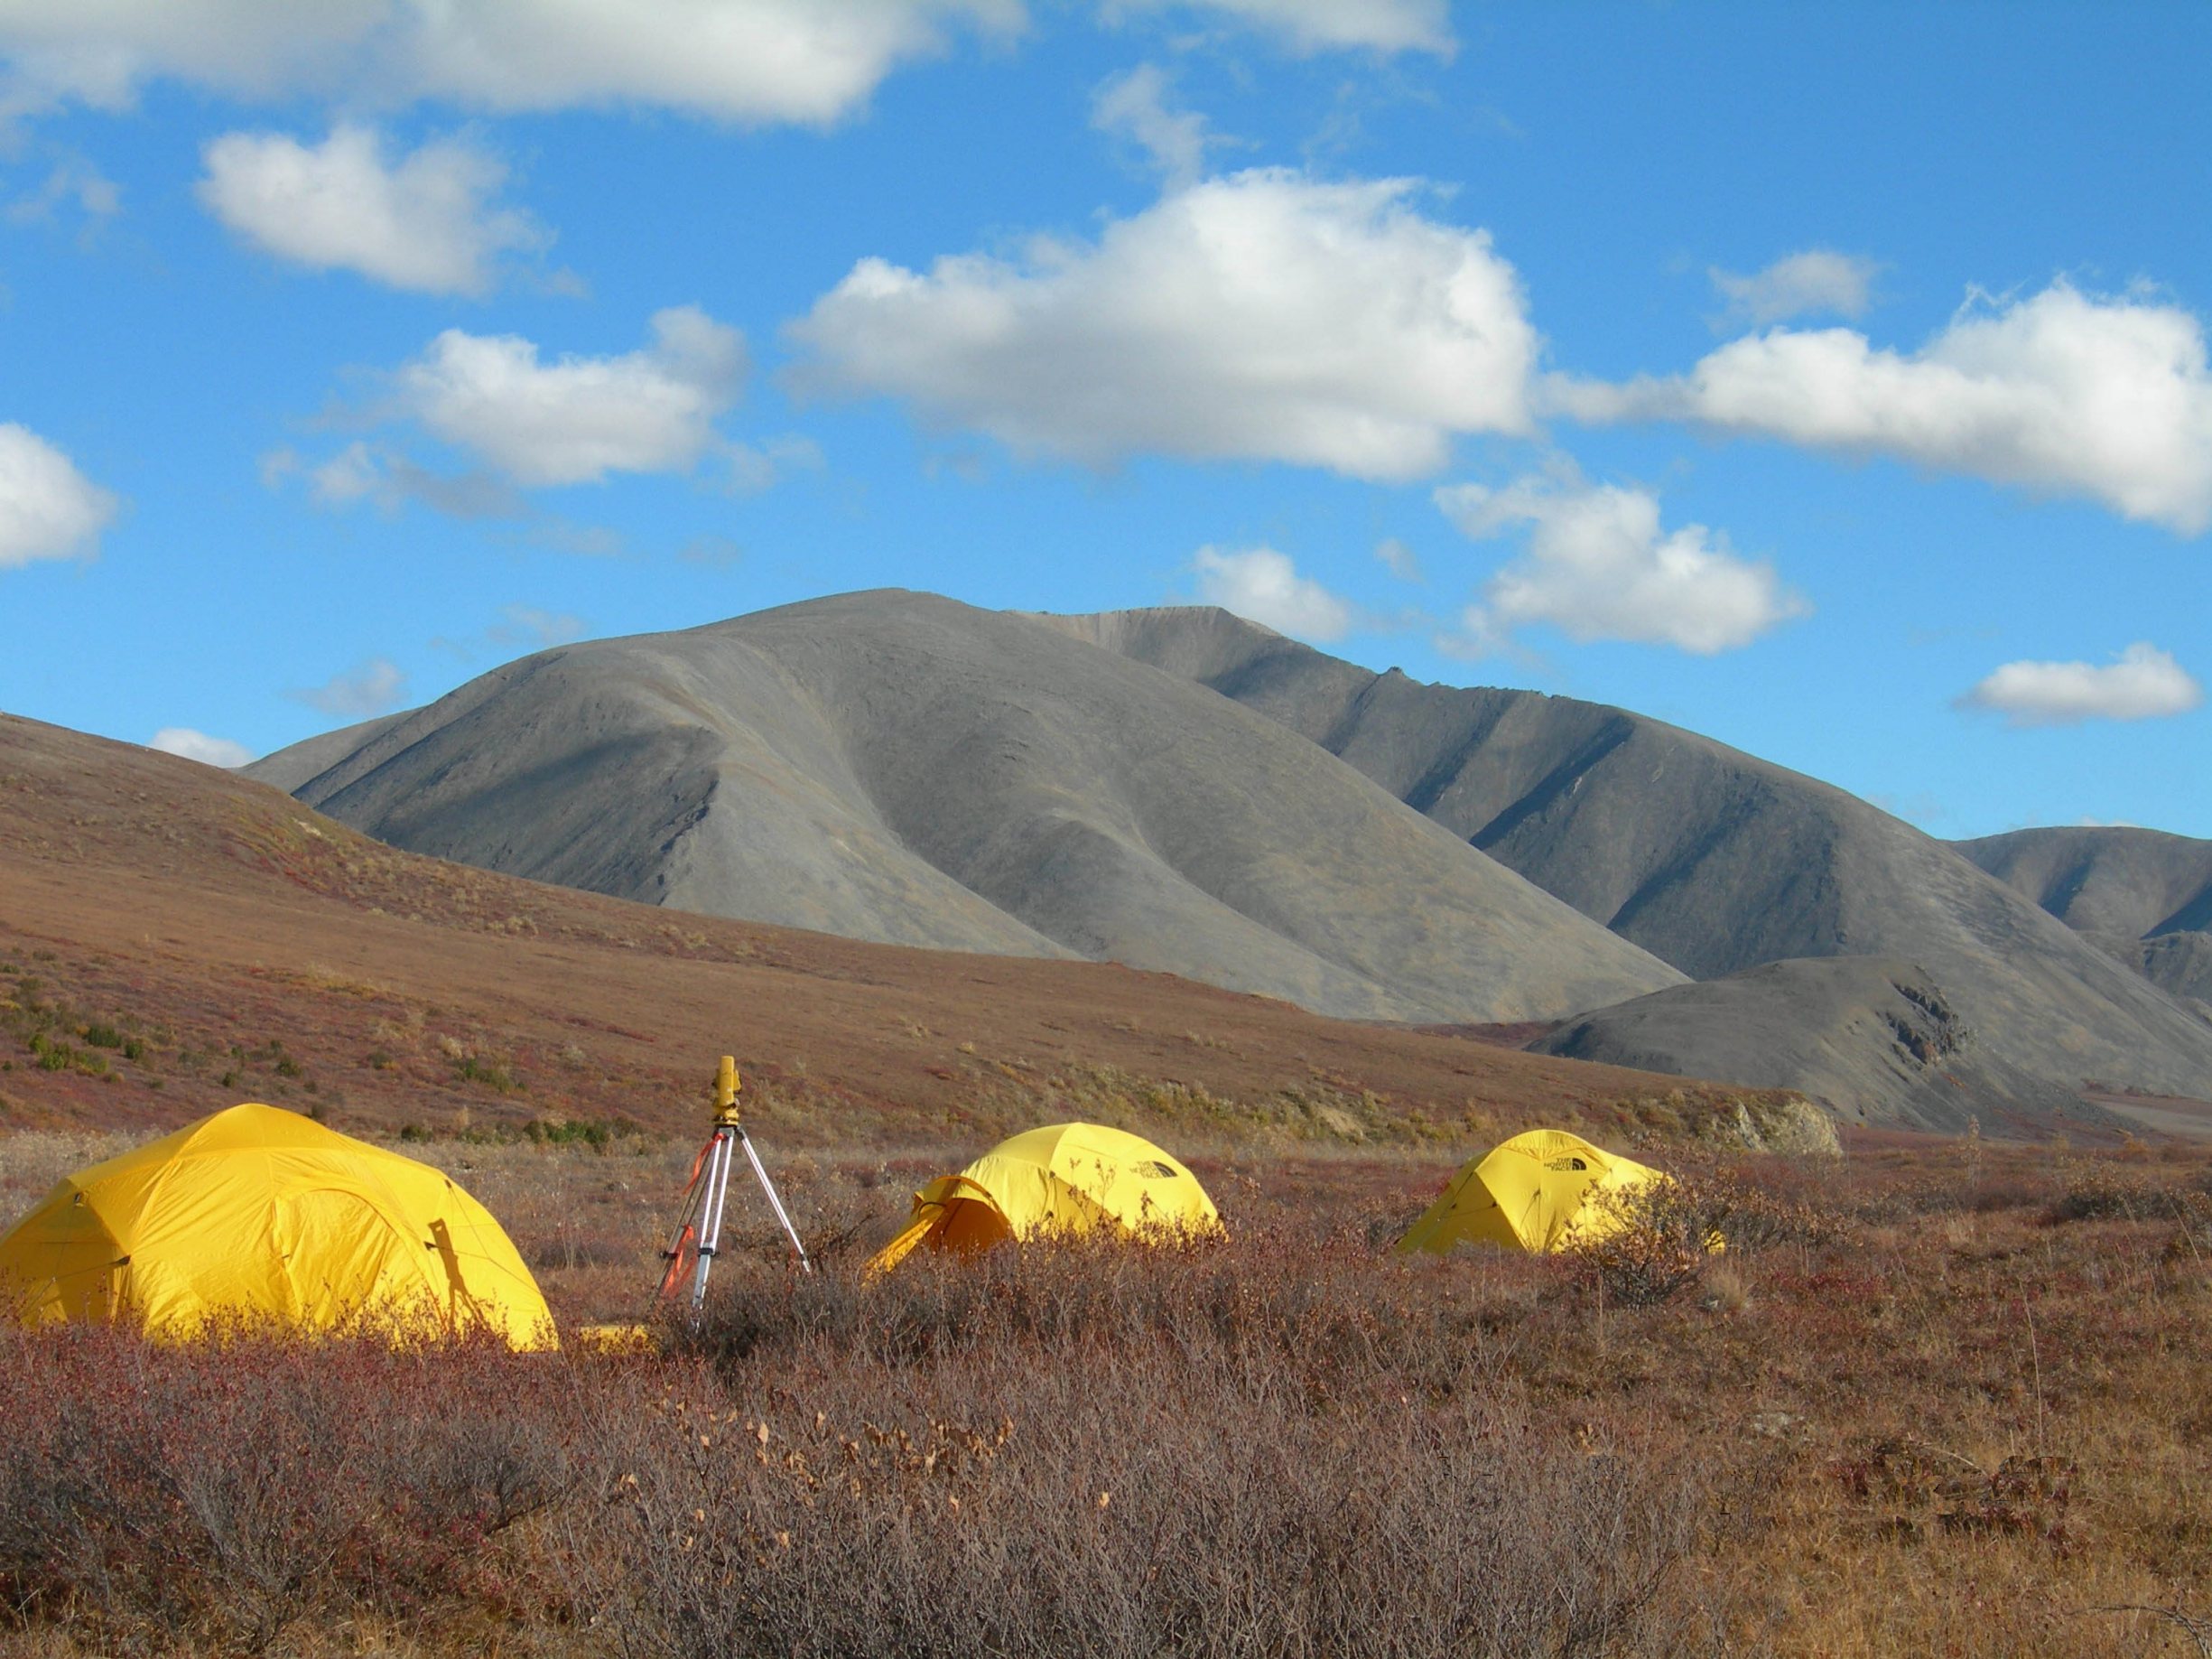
(1870, 1039)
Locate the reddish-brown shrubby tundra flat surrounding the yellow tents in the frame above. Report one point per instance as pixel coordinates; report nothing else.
(1932, 1401)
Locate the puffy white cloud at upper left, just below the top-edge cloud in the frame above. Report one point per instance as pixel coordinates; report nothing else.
(424, 222)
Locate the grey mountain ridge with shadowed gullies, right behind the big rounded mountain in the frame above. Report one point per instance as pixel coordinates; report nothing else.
(1707, 857)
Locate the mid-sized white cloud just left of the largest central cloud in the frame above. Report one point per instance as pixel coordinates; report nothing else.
(583, 417)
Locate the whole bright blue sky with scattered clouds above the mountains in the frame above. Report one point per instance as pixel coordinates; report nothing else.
(1830, 382)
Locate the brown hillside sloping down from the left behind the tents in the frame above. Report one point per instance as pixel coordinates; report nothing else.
(176, 939)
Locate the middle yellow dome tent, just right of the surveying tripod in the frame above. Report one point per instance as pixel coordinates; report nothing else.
(1058, 1180)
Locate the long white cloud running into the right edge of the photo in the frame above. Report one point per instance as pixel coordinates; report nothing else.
(2060, 395)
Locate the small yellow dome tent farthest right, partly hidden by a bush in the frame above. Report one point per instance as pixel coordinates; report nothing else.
(1530, 1193)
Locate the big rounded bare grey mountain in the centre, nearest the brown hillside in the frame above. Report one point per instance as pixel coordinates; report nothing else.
(904, 769)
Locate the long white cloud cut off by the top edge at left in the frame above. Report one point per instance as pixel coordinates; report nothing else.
(733, 61)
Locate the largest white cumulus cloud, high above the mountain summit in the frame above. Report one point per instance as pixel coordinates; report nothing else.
(1258, 317)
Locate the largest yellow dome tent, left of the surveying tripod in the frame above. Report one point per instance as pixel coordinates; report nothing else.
(264, 1215)
